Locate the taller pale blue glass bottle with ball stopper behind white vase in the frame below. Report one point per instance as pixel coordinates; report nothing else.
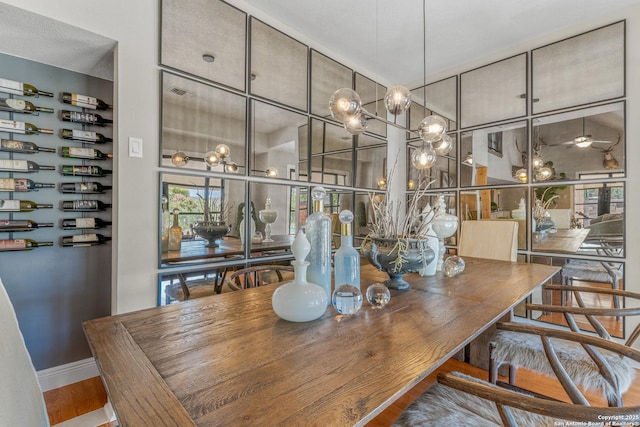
(318, 232)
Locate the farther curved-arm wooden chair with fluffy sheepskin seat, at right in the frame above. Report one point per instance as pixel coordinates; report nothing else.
(612, 378)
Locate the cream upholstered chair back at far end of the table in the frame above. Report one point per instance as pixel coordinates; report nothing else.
(489, 239)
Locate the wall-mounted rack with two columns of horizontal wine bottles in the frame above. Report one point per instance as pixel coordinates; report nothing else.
(77, 161)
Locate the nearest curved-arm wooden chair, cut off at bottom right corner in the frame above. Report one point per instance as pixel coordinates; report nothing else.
(458, 399)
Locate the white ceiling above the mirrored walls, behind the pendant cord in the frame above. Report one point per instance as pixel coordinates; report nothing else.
(386, 36)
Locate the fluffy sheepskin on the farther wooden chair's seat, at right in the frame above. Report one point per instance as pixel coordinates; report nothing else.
(524, 350)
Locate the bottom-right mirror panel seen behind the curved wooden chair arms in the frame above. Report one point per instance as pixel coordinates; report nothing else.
(579, 273)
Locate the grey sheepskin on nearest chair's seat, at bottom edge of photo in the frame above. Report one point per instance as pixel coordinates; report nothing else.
(442, 406)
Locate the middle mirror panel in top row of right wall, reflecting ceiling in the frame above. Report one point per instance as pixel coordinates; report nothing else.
(494, 92)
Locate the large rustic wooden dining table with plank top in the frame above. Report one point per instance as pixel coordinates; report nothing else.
(229, 360)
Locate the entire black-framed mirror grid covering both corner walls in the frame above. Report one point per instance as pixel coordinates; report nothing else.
(553, 160)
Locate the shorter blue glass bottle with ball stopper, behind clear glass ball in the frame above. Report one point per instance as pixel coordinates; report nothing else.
(347, 259)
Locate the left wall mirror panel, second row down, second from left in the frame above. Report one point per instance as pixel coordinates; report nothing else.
(275, 142)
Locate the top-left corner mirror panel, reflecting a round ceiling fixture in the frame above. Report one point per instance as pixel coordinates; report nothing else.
(206, 39)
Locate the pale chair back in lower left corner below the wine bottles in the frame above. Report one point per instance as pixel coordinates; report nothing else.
(21, 400)
